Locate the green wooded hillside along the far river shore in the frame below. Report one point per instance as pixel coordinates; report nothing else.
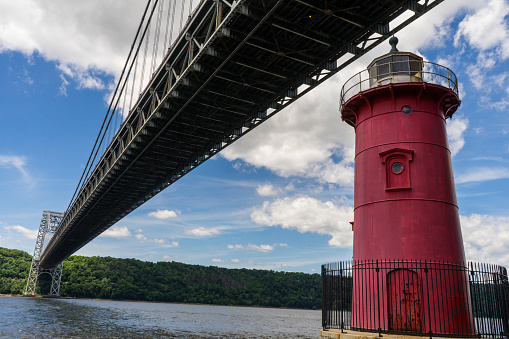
(131, 279)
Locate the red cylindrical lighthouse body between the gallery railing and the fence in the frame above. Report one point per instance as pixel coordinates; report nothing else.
(405, 201)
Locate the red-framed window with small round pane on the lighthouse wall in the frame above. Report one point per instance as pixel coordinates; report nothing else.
(396, 164)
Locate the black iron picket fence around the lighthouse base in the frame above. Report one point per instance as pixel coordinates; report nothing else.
(417, 298)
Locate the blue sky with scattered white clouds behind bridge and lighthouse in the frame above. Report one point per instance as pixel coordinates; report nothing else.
(281, 197)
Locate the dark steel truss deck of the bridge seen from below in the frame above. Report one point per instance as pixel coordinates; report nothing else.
(234, 65)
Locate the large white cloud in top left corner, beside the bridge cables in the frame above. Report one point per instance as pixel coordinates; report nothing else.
(96, 32)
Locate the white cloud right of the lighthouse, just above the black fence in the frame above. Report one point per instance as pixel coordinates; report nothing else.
(486, 238)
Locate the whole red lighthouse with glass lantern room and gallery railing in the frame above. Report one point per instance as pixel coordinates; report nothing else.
(405, 208)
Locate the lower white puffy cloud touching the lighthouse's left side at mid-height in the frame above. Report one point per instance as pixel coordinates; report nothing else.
(307, 214)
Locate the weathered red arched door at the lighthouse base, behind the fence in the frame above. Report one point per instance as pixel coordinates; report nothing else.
(404, 302)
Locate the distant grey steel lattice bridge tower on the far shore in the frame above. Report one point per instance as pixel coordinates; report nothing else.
(49, 224)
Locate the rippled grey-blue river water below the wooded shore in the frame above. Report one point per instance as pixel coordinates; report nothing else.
(73, 318)
